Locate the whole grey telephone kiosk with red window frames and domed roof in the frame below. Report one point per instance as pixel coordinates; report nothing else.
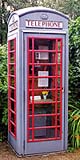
(37, 80)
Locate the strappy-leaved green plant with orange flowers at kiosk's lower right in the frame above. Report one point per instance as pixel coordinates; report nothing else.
(74, 126)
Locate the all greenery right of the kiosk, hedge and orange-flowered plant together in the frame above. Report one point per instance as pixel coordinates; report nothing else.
(74, 83)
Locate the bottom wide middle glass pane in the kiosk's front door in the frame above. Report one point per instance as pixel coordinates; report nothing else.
(44, 133)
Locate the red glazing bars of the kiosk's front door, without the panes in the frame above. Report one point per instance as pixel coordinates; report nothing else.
(56, 89)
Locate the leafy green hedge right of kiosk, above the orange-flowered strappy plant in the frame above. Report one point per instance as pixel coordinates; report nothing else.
(74, 57)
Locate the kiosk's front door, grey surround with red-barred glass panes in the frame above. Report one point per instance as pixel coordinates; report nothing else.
(44, 82)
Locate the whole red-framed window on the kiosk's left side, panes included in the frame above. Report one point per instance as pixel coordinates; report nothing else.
(12, 87)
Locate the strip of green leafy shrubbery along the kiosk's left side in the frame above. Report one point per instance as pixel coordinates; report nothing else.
(3, 89)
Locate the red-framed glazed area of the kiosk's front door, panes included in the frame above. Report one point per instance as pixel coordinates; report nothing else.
(53, 104)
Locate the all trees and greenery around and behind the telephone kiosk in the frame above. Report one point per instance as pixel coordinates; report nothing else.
(72, 8)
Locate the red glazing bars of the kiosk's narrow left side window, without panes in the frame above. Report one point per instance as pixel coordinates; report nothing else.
(10, 110)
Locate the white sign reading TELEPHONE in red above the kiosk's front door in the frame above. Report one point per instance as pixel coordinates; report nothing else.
(44, 24)
